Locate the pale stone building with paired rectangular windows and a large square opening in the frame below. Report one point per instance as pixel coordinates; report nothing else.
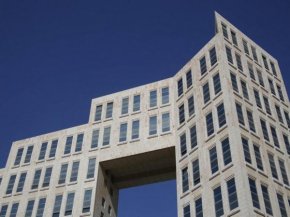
(220, 127)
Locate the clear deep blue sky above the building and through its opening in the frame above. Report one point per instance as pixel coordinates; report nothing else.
(55, 56)
